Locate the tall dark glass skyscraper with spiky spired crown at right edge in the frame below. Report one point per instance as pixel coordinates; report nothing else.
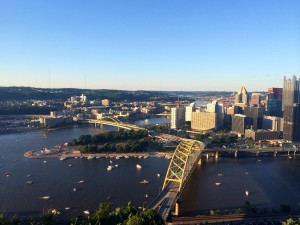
(291, 109)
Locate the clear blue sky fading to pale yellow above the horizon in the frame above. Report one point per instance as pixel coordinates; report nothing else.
(149, 44)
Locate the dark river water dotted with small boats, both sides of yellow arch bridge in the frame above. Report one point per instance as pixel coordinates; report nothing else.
(270, 181)
